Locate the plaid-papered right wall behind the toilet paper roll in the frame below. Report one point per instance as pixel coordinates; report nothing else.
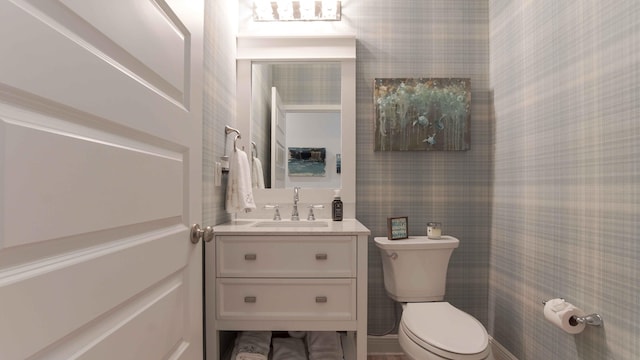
(565, 77)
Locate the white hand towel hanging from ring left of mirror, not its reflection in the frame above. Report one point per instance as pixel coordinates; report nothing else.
(239, 193)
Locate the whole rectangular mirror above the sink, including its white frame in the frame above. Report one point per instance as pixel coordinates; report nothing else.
(315, 78)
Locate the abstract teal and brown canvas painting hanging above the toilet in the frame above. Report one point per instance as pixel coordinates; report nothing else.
(422, 114)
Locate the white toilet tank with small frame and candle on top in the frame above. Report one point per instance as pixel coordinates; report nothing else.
(415, 269)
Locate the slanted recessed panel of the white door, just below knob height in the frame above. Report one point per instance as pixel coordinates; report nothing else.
(67, 292)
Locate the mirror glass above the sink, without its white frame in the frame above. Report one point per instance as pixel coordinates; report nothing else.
(297, 105)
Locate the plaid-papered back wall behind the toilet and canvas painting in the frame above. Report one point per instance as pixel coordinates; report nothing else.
(445, 38)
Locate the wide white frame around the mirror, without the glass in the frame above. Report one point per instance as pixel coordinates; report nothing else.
(305, 48)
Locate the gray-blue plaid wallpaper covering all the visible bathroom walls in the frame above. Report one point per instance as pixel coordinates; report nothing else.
(545, 203)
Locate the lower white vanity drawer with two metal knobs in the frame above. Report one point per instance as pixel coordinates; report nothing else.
(286, 299)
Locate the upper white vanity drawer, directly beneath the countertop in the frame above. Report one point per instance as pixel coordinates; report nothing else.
(286, 256)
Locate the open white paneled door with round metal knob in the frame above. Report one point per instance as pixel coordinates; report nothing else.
(100, 178)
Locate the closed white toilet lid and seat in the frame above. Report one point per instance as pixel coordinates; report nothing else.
(444, 330)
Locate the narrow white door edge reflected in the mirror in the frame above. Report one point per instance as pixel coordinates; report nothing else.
(278, 142)
